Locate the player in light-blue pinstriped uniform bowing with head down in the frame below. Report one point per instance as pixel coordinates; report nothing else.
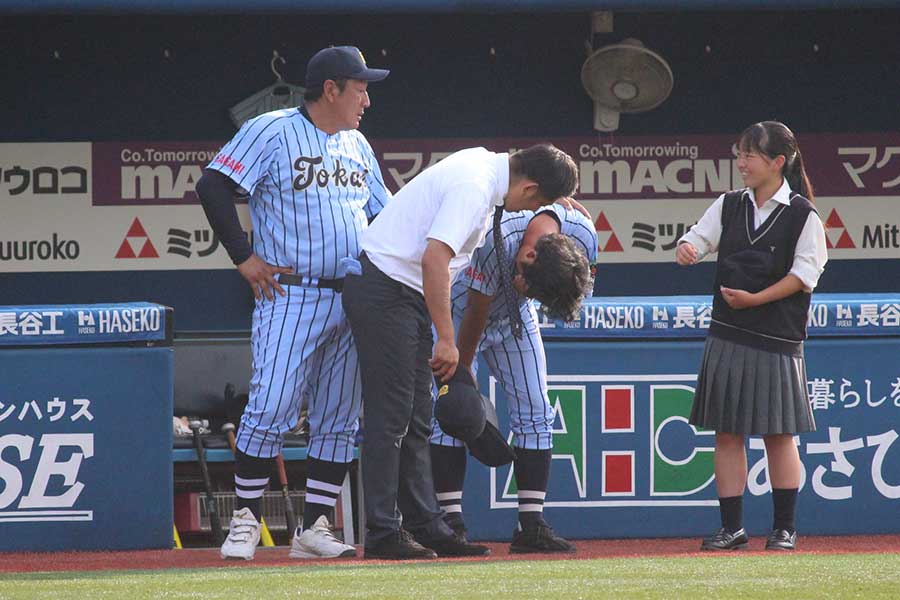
(551, 252)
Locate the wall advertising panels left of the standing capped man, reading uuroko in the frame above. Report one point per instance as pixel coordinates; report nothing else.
(65, 207)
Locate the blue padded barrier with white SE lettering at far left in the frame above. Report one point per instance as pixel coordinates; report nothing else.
(86, 435)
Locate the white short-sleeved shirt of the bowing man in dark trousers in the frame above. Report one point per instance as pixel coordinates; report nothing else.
(452, 201)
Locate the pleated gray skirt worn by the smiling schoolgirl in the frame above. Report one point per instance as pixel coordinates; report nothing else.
(747, 391)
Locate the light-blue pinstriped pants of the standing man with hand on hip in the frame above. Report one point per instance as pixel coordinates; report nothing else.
(302, 351)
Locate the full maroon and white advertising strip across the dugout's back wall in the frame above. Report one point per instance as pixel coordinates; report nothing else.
(113, 206)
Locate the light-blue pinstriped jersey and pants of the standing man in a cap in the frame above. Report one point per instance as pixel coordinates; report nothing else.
(311, 197)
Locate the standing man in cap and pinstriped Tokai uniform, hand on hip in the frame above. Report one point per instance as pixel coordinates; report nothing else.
(314, 185)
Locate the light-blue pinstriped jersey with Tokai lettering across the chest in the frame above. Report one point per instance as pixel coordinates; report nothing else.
(311, 193)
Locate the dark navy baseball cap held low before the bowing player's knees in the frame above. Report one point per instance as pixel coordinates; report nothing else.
(465, 414)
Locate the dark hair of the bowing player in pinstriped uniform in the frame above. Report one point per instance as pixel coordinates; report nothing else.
(559, 278)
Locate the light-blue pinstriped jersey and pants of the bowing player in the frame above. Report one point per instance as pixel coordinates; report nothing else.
(518, 365)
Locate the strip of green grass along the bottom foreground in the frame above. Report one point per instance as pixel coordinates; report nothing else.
(743, 576)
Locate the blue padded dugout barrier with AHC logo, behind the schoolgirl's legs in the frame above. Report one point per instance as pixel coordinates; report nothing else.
(626, 462)
